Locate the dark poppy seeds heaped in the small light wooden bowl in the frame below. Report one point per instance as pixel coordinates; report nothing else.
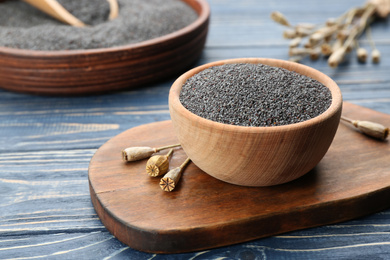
(254, 95)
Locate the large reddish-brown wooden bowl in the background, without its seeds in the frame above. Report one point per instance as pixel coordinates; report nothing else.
(81, 72)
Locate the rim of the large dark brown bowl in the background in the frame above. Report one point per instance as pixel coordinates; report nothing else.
(203, 16)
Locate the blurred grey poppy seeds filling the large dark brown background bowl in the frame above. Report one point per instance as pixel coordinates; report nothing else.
(24, 27)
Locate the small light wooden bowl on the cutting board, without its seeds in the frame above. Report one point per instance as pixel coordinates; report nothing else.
(256, 156)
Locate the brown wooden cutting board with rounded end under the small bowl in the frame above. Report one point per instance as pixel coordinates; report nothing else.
(352, 180)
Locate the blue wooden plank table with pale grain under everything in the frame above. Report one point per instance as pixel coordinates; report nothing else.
(46, 144)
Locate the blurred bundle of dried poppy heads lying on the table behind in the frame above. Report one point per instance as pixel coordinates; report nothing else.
(336, 37)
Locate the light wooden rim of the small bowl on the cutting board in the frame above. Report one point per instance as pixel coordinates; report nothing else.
(334, 108)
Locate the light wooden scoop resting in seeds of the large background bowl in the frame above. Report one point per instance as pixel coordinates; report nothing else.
(54, 9)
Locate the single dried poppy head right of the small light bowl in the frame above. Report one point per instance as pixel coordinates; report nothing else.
(372, 129)
